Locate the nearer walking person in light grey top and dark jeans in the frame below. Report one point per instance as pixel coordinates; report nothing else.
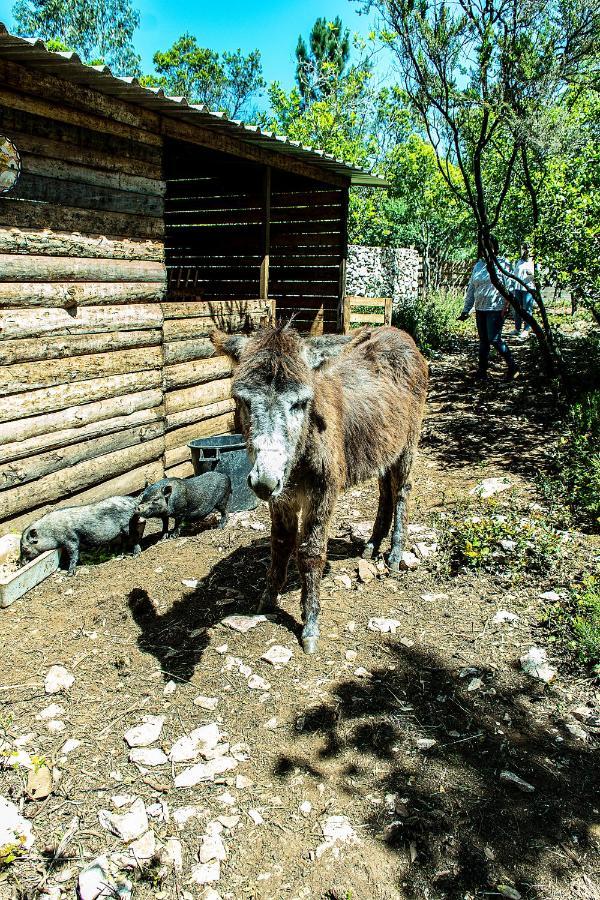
(490, 312)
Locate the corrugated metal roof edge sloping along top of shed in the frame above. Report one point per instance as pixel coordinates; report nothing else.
(32, 52)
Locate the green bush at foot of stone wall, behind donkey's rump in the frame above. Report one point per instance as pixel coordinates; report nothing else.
(431, 320)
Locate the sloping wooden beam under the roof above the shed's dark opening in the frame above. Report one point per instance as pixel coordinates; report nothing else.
(218, 140)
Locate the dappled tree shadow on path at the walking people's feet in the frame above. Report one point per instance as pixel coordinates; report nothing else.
(506, 424)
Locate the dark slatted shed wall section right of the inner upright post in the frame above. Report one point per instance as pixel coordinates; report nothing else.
(307, 250)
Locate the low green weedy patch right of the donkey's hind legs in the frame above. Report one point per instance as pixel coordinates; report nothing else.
(491, 538)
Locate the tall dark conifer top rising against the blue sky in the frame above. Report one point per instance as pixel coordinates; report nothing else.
(320, 65)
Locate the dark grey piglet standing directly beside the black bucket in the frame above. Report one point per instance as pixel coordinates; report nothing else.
(186, 499)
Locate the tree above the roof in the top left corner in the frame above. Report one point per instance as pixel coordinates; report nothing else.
(98, 32)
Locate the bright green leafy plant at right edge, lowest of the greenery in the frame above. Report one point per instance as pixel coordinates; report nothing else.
(575, 621)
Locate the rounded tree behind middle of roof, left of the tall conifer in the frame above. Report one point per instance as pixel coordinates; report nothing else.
(227, 81)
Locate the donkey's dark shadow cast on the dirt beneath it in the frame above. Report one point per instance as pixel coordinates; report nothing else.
(178, 637)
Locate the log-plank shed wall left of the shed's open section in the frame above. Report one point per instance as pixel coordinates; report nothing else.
(82, 277)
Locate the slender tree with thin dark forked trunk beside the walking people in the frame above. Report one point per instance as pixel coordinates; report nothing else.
(482, 75)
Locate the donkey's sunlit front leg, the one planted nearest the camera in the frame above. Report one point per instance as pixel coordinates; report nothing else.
(312, 554)
